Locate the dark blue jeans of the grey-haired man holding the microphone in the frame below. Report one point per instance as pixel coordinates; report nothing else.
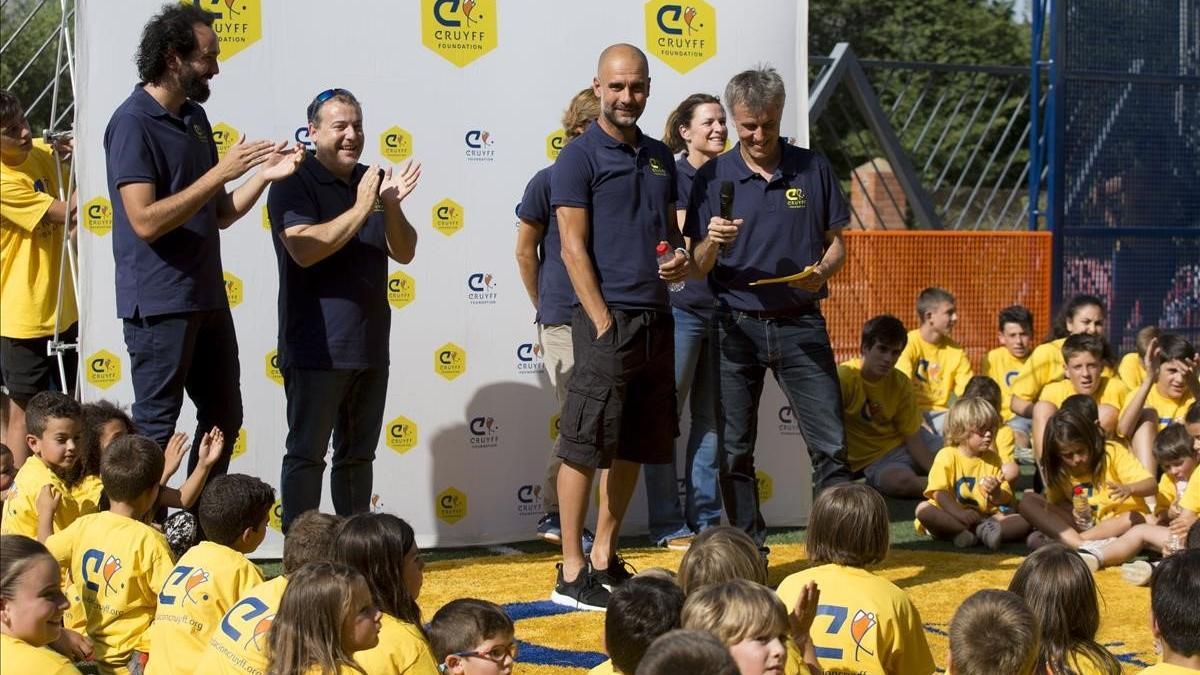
(797, 351)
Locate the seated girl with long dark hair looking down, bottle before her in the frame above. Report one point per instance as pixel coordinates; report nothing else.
(1077, 461)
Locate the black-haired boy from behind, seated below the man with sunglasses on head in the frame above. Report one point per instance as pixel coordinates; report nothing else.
(214, 575)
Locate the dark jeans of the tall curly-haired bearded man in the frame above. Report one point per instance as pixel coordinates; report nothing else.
(194, 354)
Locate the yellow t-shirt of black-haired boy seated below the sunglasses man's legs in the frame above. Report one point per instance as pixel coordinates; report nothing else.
(206, 583)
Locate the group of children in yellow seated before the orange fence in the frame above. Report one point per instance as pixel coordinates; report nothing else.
(920, 425)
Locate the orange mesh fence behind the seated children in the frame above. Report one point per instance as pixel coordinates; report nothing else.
(987, 272)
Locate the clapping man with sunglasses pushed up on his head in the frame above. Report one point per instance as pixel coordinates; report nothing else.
(335, 224)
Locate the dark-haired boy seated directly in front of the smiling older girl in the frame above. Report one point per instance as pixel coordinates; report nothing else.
(1084, 359)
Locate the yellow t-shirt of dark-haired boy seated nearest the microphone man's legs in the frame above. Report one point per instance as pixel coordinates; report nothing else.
(878, 415)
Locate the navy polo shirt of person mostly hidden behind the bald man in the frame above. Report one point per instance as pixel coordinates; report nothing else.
(556, 296)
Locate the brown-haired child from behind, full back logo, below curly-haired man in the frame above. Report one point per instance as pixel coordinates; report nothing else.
(117, 561)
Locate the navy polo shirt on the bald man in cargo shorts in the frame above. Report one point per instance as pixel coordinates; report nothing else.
(631, 196)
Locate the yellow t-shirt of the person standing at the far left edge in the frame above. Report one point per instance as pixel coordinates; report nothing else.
(32, 249)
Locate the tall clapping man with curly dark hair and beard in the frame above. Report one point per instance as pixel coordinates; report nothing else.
(170, 204)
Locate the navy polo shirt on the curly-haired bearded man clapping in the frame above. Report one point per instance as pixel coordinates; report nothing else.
(181, 272)
